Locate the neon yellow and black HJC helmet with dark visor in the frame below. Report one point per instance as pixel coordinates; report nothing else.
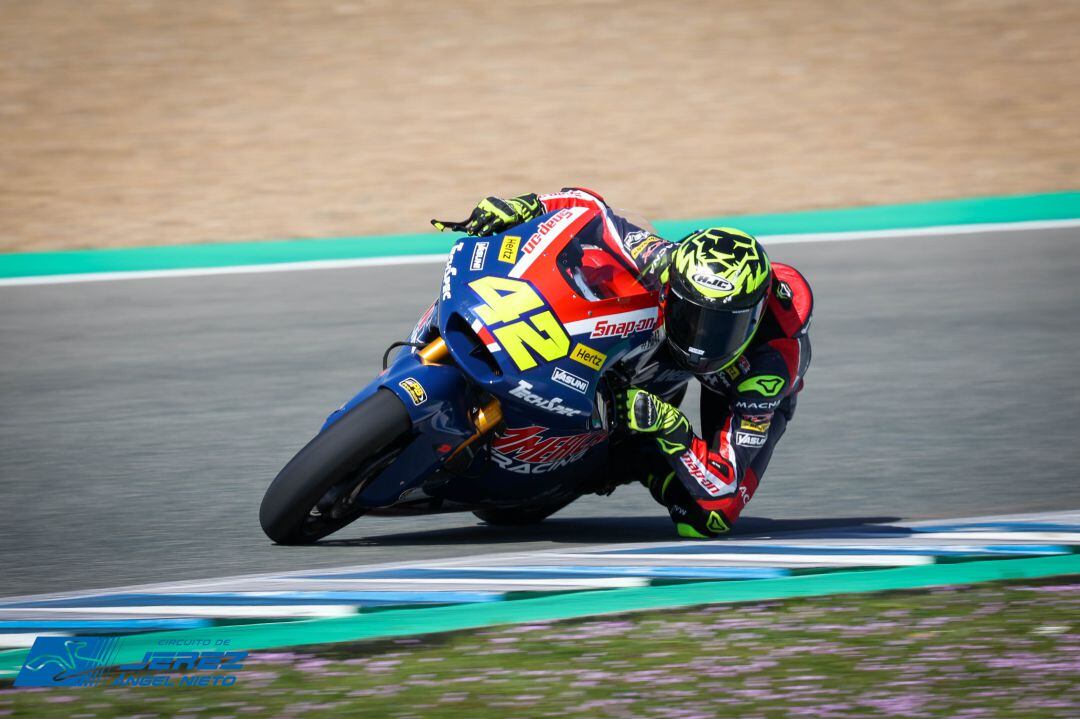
(718, 288)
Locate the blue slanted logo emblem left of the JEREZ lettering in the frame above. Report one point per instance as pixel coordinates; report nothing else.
(67, 662)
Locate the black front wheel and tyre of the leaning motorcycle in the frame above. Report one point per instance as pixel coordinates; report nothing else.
(313, 496)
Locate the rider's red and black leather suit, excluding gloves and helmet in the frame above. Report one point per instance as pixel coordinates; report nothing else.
(742, 417)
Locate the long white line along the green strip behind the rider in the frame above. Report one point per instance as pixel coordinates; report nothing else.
(431, 260)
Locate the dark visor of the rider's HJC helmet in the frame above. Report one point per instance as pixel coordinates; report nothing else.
(707, 338)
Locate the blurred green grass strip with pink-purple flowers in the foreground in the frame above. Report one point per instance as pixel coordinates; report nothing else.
(995, 650)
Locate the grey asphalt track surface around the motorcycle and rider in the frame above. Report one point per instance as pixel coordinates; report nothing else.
(142, 420)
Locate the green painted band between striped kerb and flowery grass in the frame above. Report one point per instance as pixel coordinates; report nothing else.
(408, 622)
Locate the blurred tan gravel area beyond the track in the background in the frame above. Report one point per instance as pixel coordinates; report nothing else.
(137, 123)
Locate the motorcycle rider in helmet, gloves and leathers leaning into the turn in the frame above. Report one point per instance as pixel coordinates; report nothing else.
(732, 319)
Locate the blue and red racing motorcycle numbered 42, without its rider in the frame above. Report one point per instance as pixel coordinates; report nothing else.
(501, 404)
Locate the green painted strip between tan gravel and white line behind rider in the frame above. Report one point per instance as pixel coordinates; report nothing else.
(1056, 206)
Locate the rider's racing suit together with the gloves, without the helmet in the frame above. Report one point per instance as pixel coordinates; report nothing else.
(704, 479)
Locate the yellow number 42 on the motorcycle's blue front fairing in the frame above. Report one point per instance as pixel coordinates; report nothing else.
(506, 301)
